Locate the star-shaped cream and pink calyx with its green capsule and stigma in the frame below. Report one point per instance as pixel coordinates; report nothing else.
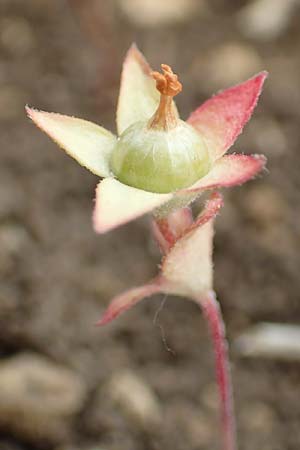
(157, 161)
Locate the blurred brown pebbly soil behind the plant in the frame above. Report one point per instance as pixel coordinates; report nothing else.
(140, 384)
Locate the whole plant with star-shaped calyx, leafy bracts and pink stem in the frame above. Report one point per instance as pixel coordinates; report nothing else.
(160, 164)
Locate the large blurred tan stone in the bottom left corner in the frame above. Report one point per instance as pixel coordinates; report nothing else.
(38, 398)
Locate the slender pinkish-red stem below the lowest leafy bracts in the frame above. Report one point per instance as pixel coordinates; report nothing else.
(216, 325)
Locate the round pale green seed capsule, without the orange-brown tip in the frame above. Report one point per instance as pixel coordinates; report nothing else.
(160, 161)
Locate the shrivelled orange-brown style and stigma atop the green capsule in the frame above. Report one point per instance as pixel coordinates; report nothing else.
(166, 116)
